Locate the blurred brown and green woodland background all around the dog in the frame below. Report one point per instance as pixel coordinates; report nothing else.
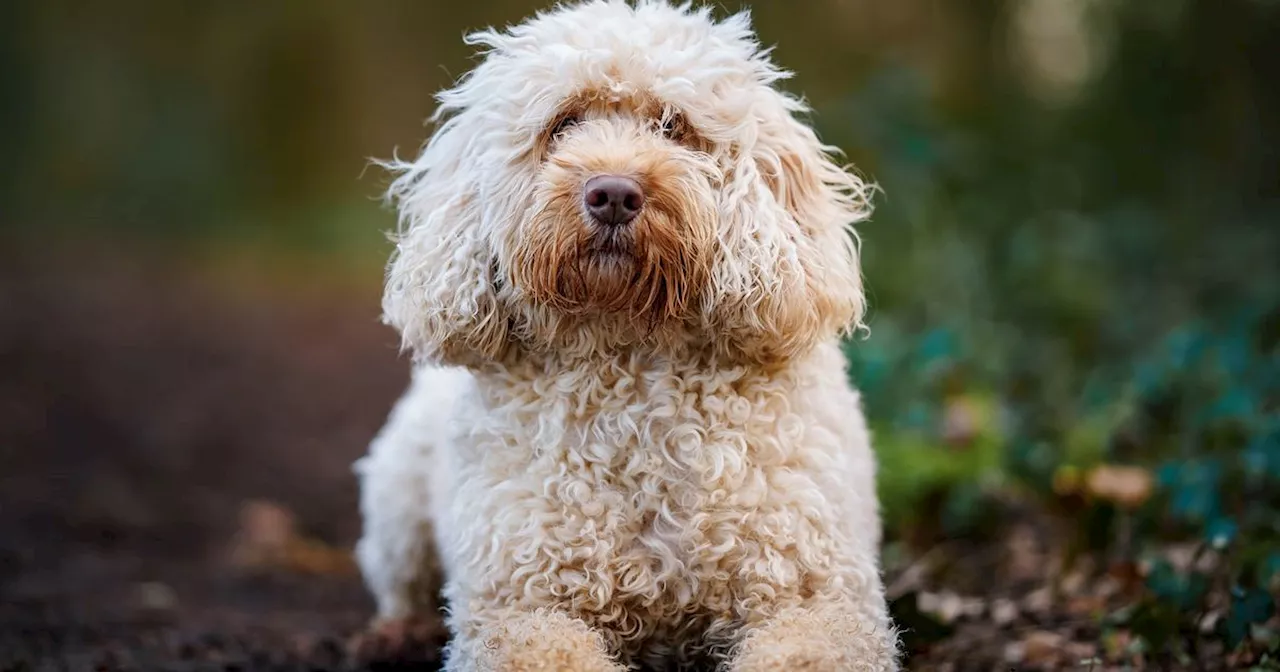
(1073, 368)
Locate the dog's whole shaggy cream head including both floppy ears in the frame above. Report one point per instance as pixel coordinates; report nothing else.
(616, 175)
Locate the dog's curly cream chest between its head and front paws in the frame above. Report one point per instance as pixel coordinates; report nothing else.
(656, 514)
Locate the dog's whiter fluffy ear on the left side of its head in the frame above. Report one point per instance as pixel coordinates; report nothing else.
(440, 290)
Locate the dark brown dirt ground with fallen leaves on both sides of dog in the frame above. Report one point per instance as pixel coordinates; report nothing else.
(176, 487)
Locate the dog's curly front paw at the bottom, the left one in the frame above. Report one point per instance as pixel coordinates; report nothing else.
(541, 641)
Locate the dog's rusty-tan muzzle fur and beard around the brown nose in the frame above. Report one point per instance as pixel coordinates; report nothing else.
(651, 271)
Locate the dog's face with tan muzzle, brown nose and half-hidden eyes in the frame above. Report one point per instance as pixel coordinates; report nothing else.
(621, 221)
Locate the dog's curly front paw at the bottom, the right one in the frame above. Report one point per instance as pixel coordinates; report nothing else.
(819, 638)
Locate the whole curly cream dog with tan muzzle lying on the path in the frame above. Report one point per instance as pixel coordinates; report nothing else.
(624, 268)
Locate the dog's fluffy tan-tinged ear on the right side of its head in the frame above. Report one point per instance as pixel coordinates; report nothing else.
(799, 257)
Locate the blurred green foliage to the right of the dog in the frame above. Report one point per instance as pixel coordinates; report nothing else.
(1109, 291)
